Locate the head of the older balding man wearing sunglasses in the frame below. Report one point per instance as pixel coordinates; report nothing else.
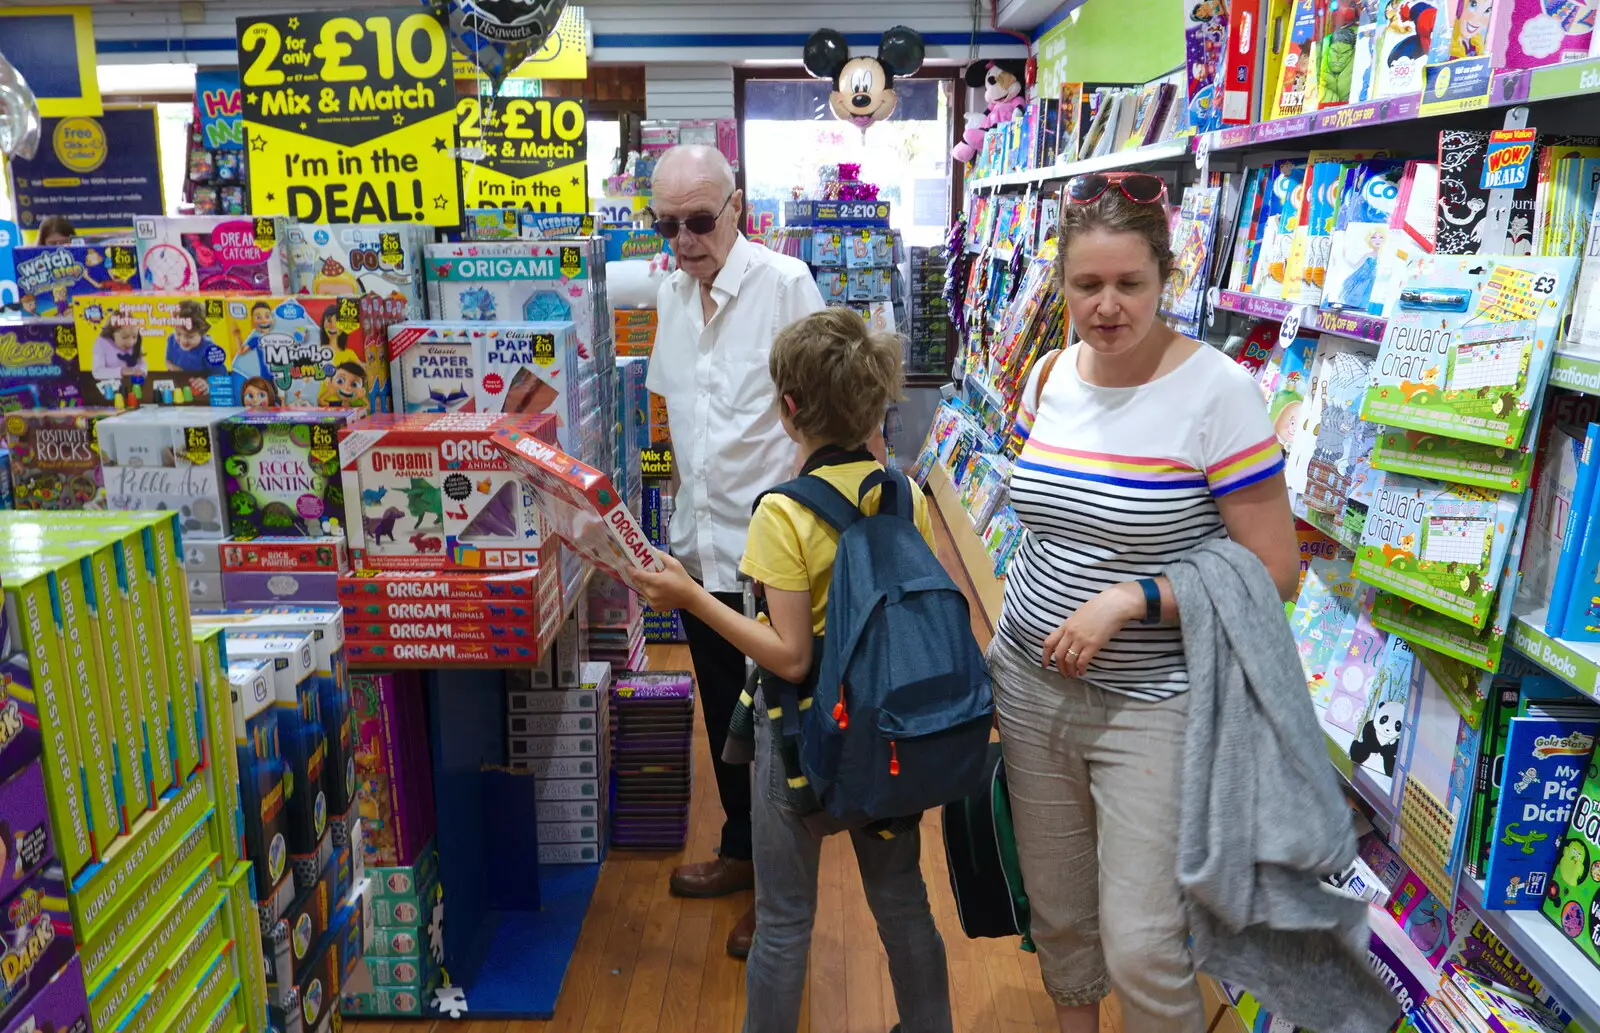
(698, 181)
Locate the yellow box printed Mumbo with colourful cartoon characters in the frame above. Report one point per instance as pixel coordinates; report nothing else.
(306, 353)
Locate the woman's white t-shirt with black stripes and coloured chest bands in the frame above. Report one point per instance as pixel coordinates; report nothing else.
(1113, 485)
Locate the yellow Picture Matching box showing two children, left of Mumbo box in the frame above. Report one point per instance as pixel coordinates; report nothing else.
(158, 349)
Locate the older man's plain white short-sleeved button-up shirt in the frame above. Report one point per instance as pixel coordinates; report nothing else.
(727, 442)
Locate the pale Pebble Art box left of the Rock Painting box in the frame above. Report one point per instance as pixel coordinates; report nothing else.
(167, 460)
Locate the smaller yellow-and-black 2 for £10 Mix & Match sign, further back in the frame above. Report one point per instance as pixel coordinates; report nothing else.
(524, 153)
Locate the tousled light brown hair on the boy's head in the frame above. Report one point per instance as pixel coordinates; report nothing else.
(841, 377)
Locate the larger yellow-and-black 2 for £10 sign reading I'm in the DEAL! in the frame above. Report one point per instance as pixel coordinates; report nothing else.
(351, 119)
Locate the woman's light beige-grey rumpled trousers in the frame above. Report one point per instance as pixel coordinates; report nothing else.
(1094, 780)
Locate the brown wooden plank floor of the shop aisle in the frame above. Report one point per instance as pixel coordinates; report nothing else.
(649, 962)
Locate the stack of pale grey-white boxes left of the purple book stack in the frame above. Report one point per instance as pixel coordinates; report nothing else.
(559, 733)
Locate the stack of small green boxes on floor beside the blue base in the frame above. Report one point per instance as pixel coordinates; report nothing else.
(402, 967)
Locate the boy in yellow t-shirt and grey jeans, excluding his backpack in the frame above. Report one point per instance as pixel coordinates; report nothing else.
(834, 381)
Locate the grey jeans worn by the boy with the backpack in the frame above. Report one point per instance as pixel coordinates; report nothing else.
(786, 867)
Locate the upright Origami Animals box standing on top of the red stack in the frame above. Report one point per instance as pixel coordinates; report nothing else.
(430, 492)
